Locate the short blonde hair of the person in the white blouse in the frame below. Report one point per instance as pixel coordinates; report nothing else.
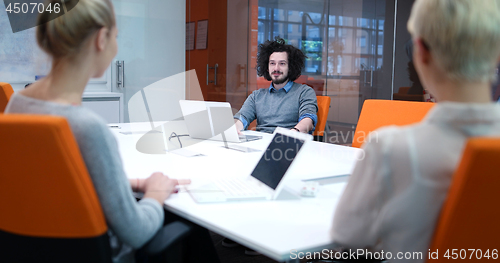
(462, 35)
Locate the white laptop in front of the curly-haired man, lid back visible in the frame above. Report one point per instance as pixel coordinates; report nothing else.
(212, 121)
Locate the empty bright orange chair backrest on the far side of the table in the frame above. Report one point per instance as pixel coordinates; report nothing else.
(379, 113)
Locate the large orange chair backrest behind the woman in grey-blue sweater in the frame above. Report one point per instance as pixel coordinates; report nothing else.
(49, 205)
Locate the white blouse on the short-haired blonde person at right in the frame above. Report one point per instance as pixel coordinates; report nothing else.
(394, 196)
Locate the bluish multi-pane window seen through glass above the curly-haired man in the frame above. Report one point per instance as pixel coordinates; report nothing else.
(341, 40)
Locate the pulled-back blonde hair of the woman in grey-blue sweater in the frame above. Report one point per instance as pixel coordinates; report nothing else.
(64, 36)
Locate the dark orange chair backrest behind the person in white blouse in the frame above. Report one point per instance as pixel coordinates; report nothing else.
(469, 216)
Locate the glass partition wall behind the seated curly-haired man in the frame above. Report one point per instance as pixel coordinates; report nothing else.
(349, 46)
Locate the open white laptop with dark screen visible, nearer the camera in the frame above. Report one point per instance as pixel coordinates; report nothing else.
(266, 180)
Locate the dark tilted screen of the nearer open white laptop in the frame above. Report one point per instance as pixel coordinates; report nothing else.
(276, 159)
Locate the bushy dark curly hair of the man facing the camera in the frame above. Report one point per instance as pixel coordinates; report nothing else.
(296, 58)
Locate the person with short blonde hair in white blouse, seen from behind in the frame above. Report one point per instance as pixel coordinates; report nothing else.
(394, 196)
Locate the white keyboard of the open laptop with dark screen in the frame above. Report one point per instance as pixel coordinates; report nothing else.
(238, 187)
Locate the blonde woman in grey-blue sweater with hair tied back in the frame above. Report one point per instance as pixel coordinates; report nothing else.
(82, 44)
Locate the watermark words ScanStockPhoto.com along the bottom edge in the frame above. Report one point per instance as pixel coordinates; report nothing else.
(354, 254)
